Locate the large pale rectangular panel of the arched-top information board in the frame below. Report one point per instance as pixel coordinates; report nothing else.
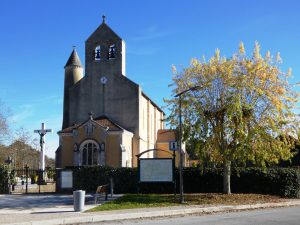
(156, 170)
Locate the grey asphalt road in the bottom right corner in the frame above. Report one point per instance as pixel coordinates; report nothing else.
(277, 216)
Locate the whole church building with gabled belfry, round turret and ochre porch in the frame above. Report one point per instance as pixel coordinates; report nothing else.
(107, 118)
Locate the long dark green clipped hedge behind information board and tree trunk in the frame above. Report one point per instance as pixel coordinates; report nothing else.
(277, 181)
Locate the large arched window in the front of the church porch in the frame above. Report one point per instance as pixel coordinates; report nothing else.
(89, 153)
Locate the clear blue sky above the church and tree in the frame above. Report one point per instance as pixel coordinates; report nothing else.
(37, 38)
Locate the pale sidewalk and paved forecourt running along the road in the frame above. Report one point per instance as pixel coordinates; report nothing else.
(50, 210)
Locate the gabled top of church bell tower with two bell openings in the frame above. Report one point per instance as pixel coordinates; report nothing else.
(104, 52)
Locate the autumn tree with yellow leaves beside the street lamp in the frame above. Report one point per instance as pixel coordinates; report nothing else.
(240, 109)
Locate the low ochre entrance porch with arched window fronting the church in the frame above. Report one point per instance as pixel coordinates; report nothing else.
(95, 142)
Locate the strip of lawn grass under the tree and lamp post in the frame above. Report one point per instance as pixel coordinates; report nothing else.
(131, 201)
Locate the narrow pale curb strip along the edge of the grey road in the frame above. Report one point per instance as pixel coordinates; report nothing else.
(155, 212)
